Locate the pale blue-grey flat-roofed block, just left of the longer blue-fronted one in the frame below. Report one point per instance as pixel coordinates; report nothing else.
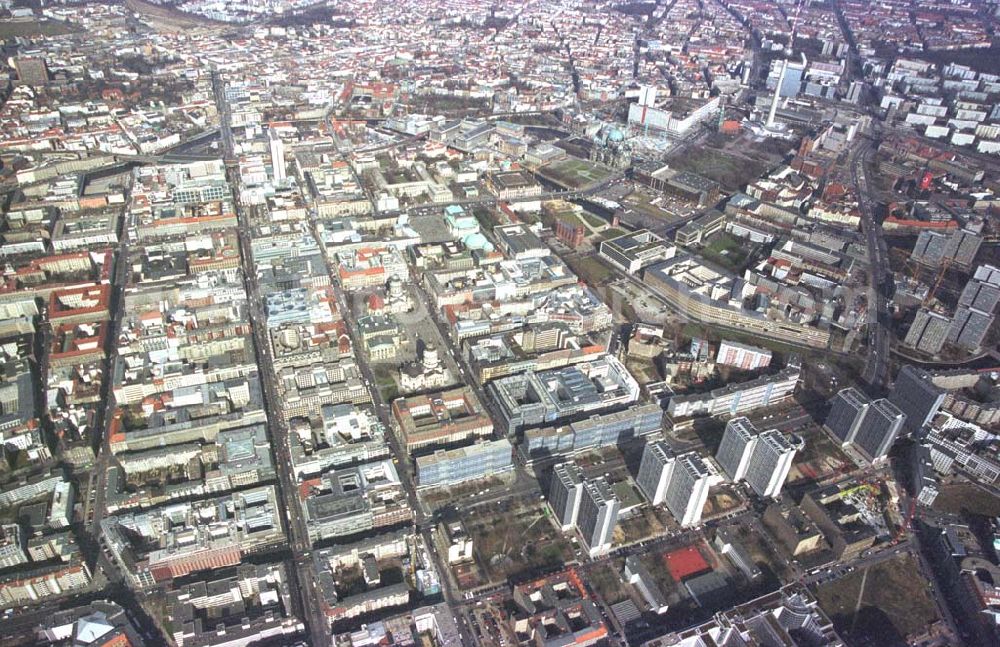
(483, 459)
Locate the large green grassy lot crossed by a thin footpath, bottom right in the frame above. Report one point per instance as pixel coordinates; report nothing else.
(895, 603)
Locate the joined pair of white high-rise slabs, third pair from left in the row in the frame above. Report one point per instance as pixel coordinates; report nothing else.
(763, 460)
